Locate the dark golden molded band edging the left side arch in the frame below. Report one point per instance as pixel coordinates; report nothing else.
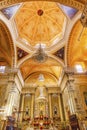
(9, 40)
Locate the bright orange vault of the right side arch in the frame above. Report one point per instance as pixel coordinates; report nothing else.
(77, 46)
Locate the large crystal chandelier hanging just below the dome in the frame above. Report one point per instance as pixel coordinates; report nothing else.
(40, 56)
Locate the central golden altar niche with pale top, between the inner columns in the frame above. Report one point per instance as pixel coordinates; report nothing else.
(41, 103)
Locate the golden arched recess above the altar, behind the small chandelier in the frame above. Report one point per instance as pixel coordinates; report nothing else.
(33, 79)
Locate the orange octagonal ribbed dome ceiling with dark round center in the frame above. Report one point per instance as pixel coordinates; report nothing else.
(40, 22)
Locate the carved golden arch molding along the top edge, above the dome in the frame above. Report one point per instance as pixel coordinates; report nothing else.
(76, 4)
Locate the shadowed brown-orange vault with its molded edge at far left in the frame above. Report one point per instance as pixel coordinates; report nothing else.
(6, 46)
